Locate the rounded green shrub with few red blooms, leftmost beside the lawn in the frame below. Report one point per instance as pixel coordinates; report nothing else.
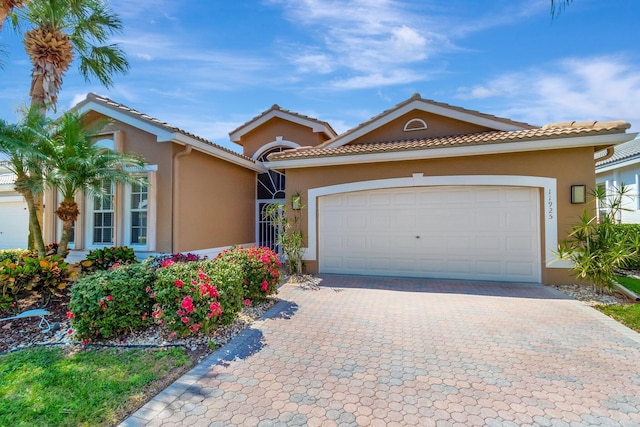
(108, 303)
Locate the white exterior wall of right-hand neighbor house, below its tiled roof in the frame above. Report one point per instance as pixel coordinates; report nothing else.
(629, 175)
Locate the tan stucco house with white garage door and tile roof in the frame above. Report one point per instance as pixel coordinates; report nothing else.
(424, 189)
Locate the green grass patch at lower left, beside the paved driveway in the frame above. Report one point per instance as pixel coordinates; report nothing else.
(46, 387)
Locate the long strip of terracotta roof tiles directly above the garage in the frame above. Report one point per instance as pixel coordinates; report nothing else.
(562, 130)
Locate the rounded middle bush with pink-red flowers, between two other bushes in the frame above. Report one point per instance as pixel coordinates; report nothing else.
(195, 296)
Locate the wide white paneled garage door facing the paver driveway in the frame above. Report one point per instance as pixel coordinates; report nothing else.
(476, 233)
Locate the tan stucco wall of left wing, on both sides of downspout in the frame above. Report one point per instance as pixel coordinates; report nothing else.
(215, 199)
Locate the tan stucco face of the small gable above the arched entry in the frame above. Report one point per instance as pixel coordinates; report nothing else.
(289, 131)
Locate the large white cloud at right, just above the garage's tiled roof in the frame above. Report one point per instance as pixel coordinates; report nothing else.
(593, 88)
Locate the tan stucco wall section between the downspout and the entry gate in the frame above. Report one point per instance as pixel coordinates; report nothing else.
(215, 203)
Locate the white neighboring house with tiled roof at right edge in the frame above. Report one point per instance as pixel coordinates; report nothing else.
(622, 166)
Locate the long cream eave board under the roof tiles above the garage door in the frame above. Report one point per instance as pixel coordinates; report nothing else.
(468, 150)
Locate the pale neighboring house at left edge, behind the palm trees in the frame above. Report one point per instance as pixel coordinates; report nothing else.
(14, 218)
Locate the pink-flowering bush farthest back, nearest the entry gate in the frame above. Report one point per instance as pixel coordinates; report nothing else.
(260, 270)
